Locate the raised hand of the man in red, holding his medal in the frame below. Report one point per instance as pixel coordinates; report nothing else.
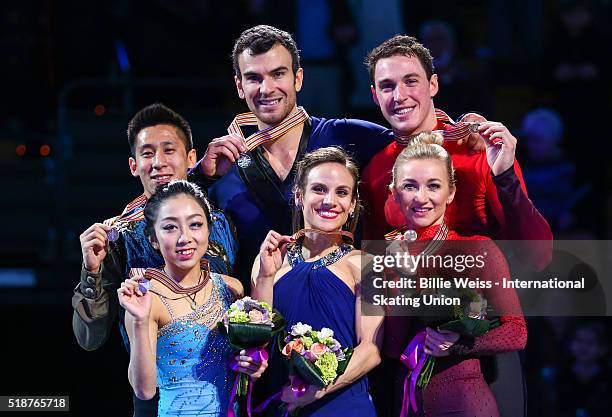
(501, 146)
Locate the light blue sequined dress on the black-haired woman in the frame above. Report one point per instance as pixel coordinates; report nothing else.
(192, 359)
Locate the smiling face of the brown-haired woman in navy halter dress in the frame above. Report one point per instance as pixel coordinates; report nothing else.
(327, 198)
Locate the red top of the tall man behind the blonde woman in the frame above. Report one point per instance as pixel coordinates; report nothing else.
(497, 207)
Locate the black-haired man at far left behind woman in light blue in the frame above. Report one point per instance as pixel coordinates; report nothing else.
(162, 150)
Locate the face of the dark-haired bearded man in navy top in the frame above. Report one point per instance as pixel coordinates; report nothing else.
(268, 84)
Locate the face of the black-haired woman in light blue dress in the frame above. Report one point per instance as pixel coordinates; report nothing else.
(181, 233)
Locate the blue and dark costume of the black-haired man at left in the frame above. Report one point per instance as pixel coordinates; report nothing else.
(95, 314)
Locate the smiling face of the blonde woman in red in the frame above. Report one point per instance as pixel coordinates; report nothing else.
(423, 191)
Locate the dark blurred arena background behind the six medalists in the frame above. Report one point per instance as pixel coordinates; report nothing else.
(73, 73)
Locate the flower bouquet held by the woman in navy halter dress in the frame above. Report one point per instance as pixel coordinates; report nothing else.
(315, 356)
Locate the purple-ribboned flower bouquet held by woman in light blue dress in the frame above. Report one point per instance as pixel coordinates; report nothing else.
(250, 325)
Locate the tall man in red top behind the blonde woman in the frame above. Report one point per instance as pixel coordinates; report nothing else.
(491, 197)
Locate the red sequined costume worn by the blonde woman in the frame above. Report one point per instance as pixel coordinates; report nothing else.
(457, 386)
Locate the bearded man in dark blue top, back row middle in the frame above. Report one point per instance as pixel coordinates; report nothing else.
(255, 192)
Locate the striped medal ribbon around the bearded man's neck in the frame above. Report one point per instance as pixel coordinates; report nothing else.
(268, 134)
